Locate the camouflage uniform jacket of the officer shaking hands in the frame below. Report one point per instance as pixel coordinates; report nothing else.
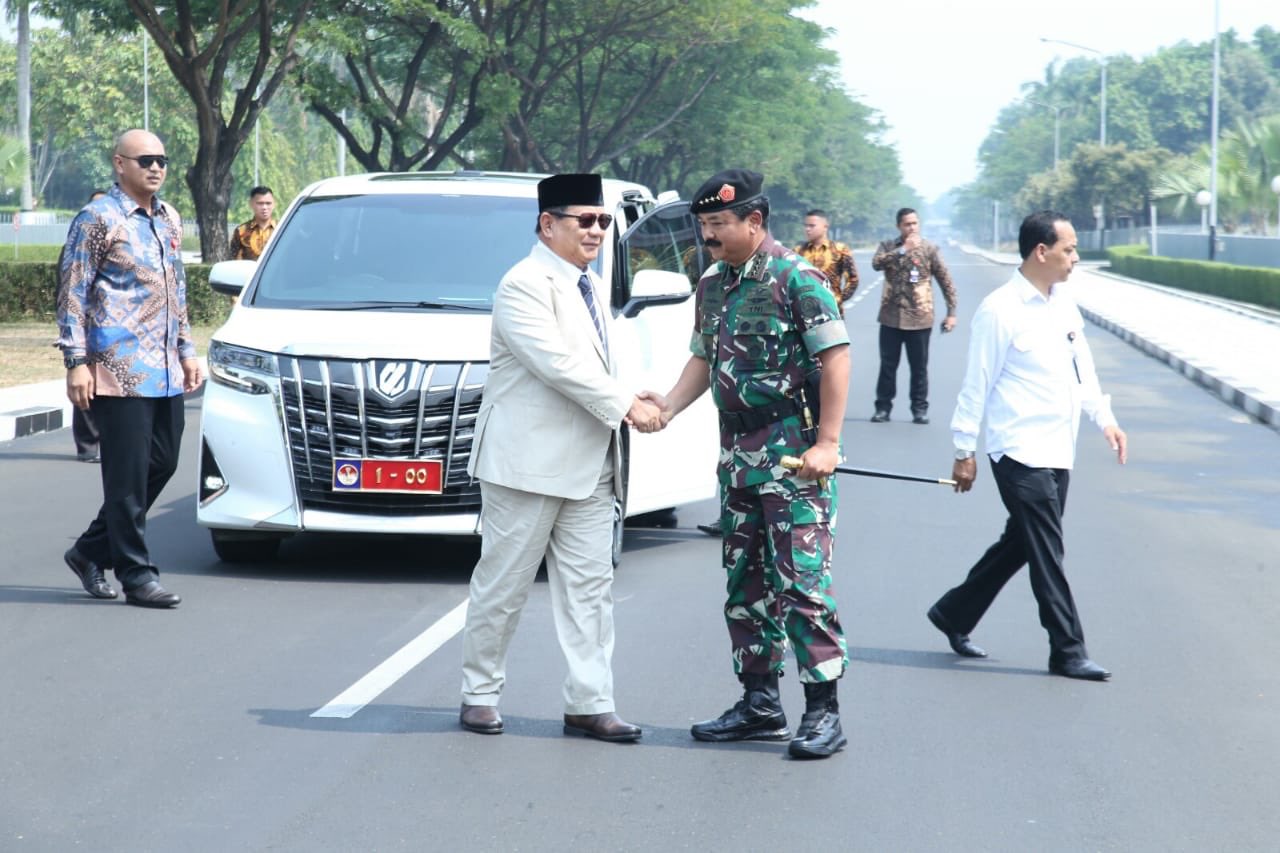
(761, 329)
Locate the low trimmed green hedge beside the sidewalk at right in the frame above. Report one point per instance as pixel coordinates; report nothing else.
(1254, 285)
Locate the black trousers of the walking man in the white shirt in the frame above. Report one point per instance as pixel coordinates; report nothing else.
(1036, 499)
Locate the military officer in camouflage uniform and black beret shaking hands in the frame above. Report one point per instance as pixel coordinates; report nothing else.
(769, 343)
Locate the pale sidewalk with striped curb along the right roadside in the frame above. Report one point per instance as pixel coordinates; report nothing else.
(1228, 348)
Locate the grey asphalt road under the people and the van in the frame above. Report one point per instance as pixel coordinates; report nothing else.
(124, 729)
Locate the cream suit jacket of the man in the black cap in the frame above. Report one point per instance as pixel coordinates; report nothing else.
(552, 403)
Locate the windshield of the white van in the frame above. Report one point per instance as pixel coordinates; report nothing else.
(408, 252)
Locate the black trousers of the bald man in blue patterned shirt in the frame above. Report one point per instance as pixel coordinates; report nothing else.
(140, 443)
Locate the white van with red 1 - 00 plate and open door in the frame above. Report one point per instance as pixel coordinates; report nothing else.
(345, 386)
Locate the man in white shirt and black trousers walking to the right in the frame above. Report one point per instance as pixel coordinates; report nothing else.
(1032, 375)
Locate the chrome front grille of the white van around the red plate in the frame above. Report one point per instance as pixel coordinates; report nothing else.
(341, 409)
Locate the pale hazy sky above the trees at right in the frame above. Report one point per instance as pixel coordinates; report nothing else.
(940, 71)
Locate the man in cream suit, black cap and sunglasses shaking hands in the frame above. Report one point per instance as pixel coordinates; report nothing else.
(547, 457)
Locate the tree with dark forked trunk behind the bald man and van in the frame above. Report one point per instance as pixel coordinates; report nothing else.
(208, 45)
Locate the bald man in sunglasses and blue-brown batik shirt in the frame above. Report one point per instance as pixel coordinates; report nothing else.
(122, 318)
